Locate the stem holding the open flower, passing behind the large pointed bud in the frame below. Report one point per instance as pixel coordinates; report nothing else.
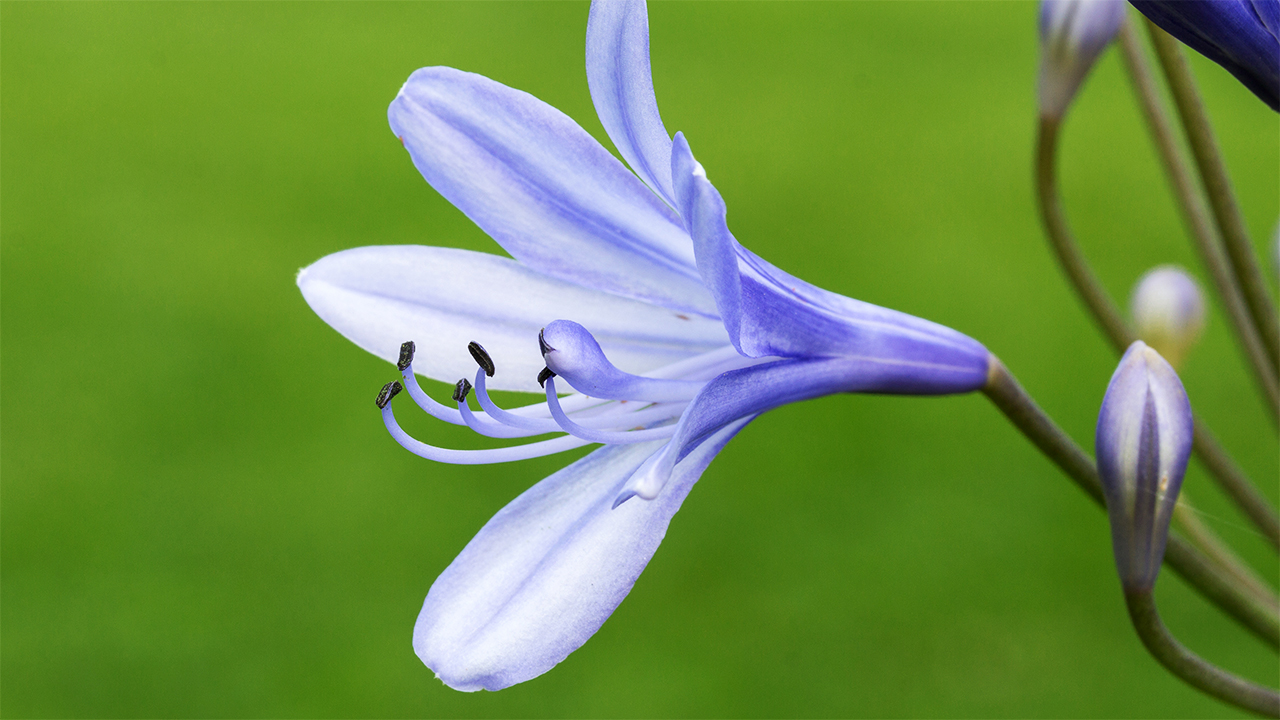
(1208, 577)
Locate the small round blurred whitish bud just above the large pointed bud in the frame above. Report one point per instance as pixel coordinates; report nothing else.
(1168, 312)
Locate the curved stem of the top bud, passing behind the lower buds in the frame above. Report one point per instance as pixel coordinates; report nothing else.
(1229, 477)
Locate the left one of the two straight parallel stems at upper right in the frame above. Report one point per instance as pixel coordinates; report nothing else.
(1195, 215)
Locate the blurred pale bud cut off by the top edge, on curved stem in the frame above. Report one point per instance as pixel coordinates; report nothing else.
(1073, 35)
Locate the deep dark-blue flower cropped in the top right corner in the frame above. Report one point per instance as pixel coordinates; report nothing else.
(1240, 35)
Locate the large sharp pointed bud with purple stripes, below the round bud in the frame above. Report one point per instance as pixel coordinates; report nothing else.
(1144, 443)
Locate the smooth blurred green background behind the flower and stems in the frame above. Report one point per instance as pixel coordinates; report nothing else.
(203, 514)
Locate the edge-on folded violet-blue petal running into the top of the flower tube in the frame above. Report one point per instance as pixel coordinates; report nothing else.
(769, 312)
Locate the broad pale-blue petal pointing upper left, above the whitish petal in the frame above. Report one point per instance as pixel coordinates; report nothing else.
(545, 189)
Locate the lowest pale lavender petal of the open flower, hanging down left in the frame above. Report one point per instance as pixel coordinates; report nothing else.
(546, 572)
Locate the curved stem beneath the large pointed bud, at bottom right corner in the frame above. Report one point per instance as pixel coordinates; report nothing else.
(1190, 667)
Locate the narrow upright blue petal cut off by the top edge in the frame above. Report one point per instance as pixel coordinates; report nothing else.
(619, 74)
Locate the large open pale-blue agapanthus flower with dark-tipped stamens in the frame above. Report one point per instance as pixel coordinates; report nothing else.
(625, 288)
